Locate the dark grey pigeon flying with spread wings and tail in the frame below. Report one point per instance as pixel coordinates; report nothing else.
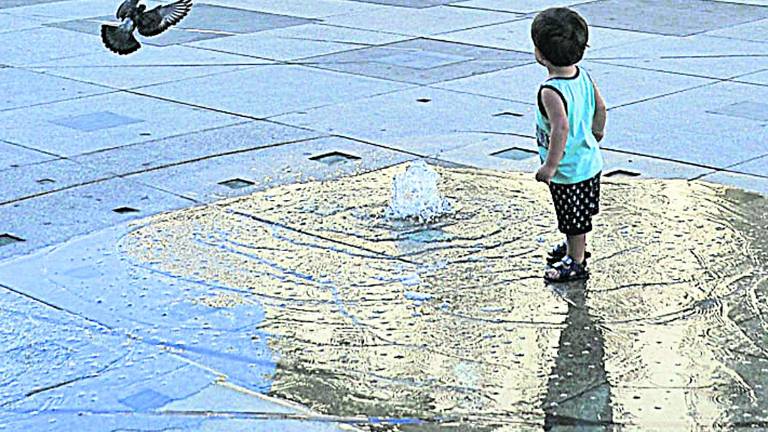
(120, 39)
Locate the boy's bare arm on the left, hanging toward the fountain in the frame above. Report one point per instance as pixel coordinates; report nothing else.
(558, 136)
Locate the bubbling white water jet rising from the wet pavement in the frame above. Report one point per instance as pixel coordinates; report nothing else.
(415, 195)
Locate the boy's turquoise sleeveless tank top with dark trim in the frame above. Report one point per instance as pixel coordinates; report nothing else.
(582, 159)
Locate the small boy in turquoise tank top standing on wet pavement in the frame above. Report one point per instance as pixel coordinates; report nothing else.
(569, 123)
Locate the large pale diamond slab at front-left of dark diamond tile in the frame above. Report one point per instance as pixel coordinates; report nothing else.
(275, 90)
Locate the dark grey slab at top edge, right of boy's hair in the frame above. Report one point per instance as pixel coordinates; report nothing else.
(669, 17)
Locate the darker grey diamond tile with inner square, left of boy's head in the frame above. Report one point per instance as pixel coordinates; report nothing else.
(421, 61)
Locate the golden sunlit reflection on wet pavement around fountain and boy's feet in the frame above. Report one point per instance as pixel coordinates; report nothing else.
(450, 326)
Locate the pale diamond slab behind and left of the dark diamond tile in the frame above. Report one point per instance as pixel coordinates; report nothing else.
(293, 43)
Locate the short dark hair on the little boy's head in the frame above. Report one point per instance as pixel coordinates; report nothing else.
(561, 35)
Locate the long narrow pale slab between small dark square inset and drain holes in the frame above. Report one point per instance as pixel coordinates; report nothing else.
(156, 154)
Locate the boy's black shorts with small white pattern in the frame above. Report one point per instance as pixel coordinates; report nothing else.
(575, 204)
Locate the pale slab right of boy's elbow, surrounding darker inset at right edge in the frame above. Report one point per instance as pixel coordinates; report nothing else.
(665, 127)
